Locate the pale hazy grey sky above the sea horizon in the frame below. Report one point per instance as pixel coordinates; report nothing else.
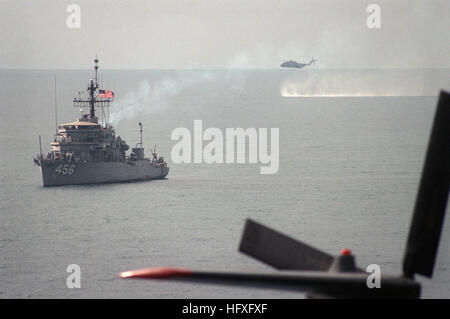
(223, 34)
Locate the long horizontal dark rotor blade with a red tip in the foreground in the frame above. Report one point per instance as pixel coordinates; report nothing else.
(342, 285)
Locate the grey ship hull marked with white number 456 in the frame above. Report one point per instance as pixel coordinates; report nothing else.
(58, 173)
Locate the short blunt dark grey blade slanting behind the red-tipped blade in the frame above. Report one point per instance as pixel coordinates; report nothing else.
(281, 251)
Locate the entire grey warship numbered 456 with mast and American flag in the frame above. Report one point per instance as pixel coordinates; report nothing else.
(89, 152)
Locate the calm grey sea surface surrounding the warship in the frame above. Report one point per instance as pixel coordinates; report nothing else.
(352, 145)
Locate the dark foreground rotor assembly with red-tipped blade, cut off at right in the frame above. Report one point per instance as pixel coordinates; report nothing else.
(306, 269)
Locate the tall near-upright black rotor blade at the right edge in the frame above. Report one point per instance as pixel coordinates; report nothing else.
(431, 201)
